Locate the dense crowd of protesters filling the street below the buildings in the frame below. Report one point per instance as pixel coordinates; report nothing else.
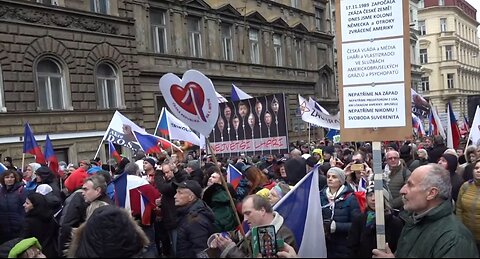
(79, 214)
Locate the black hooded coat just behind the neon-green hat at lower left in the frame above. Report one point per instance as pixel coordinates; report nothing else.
(39, 223)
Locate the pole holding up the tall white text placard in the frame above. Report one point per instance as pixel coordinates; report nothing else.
(378, 187)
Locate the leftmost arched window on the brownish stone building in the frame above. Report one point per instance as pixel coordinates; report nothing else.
(52, 90)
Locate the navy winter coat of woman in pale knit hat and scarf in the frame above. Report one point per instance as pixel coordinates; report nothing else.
(346, 208)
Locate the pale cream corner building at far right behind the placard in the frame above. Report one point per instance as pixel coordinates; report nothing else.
(449, 55)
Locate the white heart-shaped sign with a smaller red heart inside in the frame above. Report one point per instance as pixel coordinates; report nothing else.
(191, 99)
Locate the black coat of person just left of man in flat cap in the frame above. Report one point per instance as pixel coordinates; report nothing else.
(168, 190)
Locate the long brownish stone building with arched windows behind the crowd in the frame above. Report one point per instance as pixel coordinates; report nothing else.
(67, 65)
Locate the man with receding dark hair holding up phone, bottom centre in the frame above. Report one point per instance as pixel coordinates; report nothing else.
(257, 211)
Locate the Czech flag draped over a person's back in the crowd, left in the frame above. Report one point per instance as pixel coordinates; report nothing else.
(136, 195)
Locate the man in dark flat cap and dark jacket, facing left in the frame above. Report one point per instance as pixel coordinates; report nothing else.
(195, 220)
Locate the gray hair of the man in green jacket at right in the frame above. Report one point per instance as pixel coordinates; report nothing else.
(439, 178)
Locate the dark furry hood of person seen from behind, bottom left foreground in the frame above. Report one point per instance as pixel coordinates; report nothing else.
(109, 232)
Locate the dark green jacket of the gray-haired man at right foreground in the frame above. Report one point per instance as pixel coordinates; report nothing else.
(437, 234)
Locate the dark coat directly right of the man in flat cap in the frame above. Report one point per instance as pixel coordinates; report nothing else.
(217, 199)
